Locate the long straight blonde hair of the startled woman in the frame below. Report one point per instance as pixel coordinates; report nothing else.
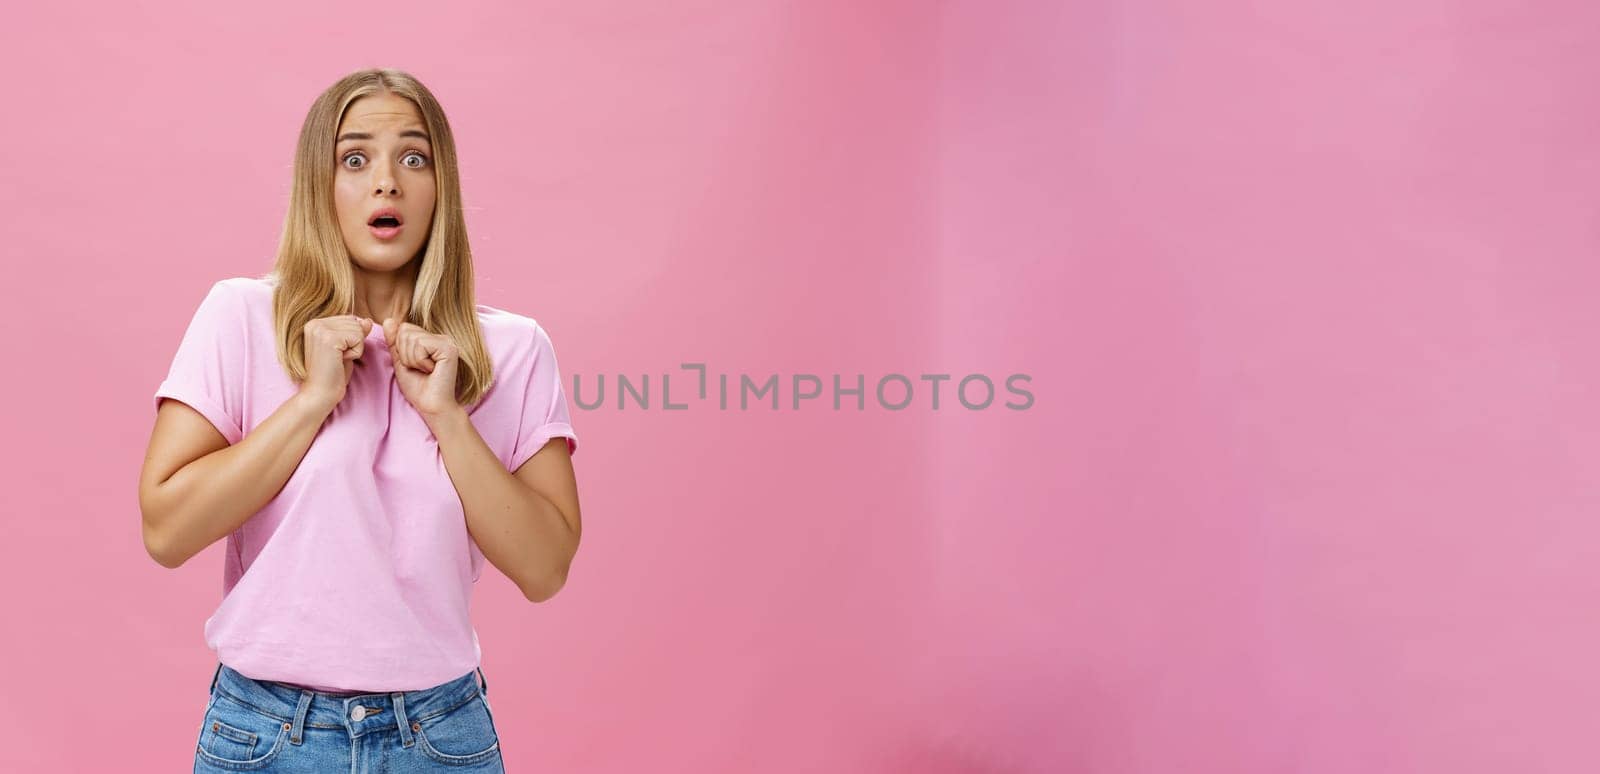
(313, 271)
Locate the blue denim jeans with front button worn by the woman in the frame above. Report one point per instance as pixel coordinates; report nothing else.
(258, 725)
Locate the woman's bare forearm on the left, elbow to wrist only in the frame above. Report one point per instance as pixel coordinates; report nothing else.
(212, 497)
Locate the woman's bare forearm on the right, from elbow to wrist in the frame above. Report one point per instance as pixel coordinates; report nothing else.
(519, 530)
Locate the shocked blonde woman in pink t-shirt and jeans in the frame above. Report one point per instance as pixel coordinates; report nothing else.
(366, 436)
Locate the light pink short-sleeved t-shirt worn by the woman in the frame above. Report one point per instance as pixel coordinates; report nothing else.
(359, 573)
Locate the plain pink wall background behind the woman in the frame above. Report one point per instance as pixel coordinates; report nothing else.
(1303, 293)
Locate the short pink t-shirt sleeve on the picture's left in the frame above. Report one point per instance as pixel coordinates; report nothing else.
(209, 369)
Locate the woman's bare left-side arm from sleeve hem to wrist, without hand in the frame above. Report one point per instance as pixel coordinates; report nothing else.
(196, 487)
